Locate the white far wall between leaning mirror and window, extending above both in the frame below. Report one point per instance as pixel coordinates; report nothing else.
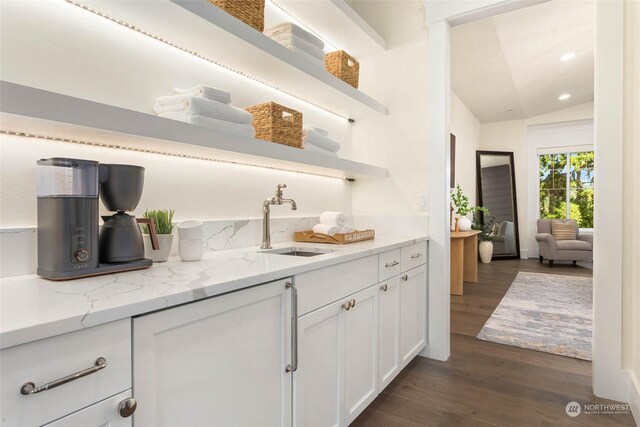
(512, 136)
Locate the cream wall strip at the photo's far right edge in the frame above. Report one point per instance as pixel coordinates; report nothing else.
(631, 195)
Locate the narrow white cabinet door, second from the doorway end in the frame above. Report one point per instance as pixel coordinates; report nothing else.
(388, 331)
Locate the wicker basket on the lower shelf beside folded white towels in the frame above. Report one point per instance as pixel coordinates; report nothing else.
(276, 123)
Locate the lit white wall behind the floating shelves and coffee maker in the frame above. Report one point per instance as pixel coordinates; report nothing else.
(56, 46)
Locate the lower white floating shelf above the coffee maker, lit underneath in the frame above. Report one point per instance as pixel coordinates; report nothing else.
(40, 112)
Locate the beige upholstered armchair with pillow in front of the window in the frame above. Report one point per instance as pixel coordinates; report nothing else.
(566, 245)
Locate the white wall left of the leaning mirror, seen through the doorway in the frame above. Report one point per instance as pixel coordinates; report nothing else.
(466, 127)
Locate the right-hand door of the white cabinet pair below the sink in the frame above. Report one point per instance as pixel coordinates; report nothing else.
(360, 352)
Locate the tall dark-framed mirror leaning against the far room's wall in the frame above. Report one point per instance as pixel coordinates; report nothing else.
(497, 192)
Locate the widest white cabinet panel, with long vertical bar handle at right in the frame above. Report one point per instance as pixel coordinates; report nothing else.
(217, 362)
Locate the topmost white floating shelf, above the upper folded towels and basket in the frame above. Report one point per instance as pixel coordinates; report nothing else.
(338, 23)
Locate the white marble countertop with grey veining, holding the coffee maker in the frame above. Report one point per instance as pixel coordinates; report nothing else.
(33, 308)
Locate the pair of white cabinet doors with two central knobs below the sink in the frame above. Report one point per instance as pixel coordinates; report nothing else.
(337, 371)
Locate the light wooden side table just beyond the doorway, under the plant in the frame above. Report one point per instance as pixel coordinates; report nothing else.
(464, 259)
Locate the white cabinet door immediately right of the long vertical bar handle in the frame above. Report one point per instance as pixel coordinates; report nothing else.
(318, 380)
